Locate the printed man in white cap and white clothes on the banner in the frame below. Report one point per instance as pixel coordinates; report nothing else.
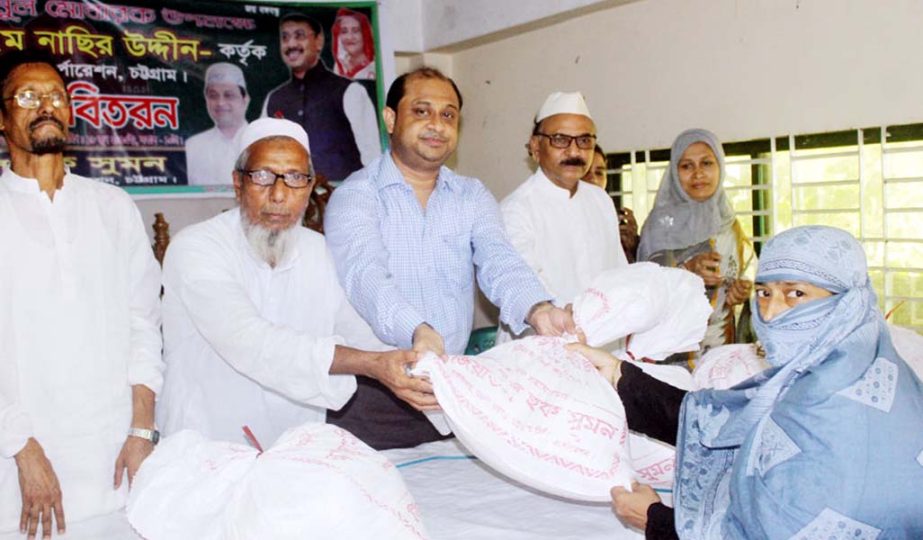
(210, 155)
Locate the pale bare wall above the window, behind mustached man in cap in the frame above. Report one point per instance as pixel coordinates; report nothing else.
(649, 69)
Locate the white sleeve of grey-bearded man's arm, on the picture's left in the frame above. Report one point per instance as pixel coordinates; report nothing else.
(292, 363)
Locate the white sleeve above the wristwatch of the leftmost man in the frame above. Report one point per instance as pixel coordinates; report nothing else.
(145, 365)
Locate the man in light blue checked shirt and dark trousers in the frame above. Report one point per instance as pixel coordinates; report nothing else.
(407, 236)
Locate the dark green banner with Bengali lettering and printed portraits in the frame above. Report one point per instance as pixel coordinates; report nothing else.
(159, 95)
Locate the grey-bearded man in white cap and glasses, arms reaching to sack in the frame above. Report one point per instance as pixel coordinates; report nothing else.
(257, 331)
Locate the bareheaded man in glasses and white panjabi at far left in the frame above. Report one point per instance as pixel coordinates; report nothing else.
(79, 325)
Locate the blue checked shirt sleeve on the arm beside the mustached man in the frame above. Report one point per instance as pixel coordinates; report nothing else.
(503, 275)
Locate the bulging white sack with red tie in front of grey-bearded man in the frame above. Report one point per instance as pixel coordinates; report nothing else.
(317, 481)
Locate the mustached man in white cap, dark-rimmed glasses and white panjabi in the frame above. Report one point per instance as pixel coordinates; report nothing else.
(565, 229)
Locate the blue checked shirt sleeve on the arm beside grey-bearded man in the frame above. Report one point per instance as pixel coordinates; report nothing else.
(352, 228)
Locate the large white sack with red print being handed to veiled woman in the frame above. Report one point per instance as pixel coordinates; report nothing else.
(537, 413)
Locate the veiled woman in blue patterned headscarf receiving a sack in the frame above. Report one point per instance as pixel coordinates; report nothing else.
(827, 443)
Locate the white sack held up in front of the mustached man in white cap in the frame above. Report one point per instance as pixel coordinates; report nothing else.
(661, 309)
